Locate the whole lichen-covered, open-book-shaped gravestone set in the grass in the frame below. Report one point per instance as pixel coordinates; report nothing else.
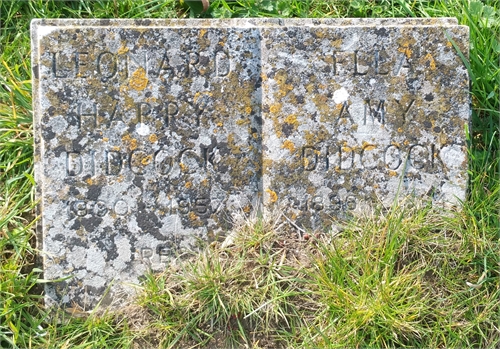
(153, 136)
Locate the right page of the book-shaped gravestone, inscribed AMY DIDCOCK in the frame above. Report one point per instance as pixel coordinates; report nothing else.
(358, 115)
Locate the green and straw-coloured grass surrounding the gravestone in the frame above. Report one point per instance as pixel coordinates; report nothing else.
(412, 277)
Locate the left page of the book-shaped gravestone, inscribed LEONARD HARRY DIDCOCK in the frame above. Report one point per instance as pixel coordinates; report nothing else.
(147, 141)
